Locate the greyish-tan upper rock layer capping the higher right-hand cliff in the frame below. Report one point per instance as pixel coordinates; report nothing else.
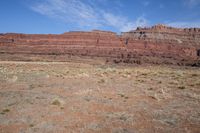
(161, 33)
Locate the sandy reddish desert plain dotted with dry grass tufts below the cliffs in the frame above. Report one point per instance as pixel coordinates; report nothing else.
(50, 97)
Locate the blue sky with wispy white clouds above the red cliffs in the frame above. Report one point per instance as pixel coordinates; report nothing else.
(59, 16)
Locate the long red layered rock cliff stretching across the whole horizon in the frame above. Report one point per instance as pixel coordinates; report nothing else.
(158, 44)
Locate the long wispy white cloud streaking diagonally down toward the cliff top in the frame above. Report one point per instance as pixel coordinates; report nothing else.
(86, 13)
